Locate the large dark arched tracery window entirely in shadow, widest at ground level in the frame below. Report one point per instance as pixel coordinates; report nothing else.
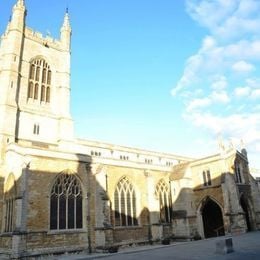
(66, 203)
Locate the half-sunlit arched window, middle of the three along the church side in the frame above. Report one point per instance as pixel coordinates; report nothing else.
(125, 204)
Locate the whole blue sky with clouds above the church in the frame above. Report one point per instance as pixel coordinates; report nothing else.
(162, 75)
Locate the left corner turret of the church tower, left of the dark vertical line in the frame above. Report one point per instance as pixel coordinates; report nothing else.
(11, 52)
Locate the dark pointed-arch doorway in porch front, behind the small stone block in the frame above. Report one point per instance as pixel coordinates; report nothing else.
(212, 219)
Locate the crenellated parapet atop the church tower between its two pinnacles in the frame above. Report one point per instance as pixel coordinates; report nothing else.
(45, 40)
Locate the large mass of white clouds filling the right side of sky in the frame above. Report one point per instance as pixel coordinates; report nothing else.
(228, 54)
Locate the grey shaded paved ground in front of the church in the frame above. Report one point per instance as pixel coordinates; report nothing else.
(246, 246)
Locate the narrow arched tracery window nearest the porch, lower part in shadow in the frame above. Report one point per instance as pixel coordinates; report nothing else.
(162, 192)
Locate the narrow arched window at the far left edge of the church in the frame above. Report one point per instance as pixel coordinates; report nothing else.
(9, 202)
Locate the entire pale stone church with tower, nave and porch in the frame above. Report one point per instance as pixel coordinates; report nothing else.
(59, 193)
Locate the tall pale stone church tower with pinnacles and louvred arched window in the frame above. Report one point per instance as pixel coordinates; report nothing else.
(35, 84)
